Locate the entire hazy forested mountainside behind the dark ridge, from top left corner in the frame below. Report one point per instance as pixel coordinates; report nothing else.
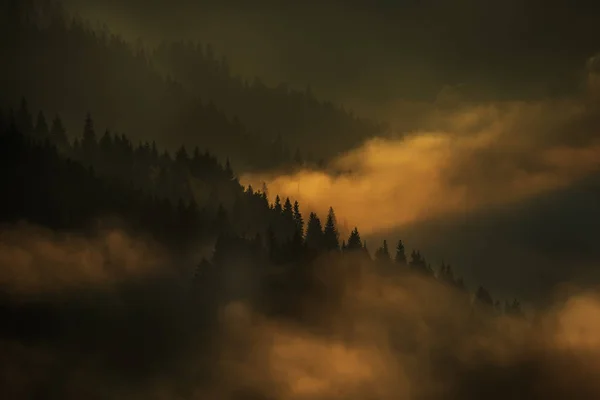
(176, 93)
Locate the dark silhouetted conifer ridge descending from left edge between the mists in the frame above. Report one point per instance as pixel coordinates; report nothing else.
(181, 200)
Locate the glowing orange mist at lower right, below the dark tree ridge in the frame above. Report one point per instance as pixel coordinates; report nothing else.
(412, 338)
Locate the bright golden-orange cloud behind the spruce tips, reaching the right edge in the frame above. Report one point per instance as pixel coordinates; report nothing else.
(461, 157)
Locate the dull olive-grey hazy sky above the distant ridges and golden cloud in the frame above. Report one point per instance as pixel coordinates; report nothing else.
(376, 51)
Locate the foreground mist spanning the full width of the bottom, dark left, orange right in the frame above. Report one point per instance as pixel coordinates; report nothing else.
(113, 316)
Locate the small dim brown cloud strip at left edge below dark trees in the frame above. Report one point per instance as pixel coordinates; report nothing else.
(35, 260)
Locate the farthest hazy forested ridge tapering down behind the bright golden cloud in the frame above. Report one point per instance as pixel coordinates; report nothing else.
(319, 127)
